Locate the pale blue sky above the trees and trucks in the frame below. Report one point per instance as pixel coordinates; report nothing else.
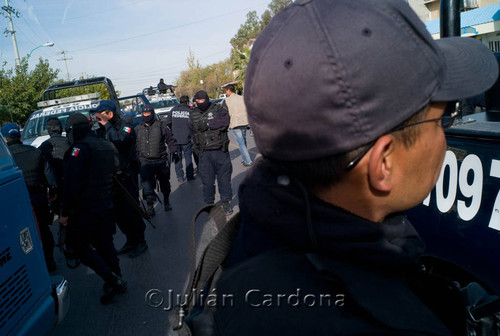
(134, 43)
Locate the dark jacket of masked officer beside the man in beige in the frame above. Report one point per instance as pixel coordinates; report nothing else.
(209, 128)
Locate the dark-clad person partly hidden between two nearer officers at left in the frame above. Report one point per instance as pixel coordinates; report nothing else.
(54, 149)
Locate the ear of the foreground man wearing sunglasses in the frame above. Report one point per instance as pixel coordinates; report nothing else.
(380, 165)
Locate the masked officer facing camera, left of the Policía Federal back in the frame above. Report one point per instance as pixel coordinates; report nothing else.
(153, 137)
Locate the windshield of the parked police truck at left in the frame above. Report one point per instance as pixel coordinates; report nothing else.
(37, 123)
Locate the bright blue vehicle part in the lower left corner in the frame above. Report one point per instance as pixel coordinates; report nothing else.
(31, 302)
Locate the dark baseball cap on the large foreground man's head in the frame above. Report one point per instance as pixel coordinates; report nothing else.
(350, 71)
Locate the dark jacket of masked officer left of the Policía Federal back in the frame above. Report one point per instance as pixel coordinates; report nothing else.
(152, 141)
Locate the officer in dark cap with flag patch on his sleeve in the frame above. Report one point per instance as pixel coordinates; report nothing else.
(121, 133)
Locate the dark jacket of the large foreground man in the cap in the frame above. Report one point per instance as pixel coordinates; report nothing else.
(362, 278)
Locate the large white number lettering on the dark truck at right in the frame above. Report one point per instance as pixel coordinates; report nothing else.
(460, 188)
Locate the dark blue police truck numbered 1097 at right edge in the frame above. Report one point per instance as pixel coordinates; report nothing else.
(459, 220)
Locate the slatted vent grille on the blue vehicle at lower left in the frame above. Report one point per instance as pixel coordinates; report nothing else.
(14, 293)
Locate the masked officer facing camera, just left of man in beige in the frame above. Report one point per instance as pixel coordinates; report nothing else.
(208, 124)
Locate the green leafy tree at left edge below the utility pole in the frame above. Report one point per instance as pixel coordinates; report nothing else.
(20, 90)
